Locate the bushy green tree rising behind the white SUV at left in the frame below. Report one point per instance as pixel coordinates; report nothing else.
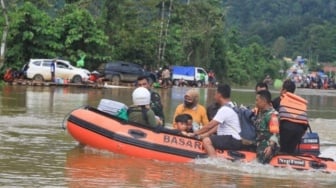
(31, 35)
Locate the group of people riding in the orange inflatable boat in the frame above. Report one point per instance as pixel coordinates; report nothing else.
(220, 129)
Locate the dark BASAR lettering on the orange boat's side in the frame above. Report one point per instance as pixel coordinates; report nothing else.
(175, 140)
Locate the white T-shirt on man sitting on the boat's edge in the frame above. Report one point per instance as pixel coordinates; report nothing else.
(228, 122)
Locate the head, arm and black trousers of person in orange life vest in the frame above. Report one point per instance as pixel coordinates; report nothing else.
(291, 132)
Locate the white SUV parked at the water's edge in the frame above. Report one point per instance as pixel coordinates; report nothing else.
(39, 70)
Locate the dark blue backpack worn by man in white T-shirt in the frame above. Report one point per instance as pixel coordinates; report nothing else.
(246, 120)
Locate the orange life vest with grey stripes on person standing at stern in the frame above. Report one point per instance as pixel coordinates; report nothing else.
(293, 108)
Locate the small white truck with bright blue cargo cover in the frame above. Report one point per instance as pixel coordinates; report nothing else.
(190, 75)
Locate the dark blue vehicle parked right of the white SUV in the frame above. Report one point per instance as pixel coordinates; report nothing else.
(125, 72)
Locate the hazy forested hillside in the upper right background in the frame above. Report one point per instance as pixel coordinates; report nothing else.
(299, 22)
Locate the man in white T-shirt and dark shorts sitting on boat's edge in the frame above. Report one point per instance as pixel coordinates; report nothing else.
(225, 123)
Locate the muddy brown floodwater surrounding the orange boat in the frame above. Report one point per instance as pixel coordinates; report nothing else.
(35, 151)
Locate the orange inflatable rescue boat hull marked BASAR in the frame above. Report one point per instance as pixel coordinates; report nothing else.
(101, 130)
